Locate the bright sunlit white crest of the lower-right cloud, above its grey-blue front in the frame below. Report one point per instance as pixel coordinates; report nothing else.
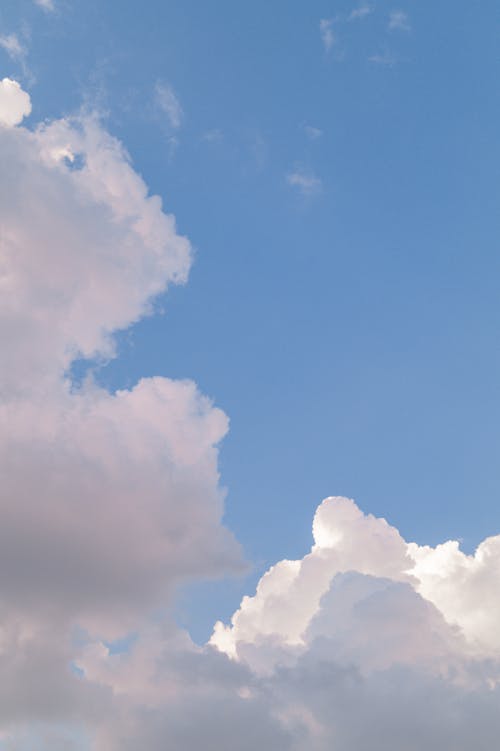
(291, 596)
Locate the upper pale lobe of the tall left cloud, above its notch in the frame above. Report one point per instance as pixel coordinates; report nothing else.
(85, 248)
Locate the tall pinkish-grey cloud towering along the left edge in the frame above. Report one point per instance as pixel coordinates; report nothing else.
(108, 500)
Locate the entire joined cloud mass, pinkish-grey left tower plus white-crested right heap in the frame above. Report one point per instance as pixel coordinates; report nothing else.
(110, 500)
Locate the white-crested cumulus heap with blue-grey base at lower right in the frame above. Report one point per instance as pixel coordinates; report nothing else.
(373, 642)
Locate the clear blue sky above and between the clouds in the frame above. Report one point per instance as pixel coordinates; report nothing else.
(351, 335)
